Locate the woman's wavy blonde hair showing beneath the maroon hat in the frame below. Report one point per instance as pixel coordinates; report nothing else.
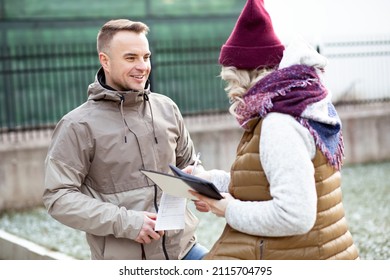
(239, 81)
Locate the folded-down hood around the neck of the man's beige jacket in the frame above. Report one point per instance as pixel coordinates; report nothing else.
(98, 90)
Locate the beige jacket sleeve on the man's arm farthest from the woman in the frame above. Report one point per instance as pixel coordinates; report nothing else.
(66, 166)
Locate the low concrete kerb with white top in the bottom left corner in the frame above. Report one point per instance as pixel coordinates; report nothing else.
(16, 248)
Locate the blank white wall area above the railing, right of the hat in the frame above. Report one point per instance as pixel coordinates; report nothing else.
(324, 19)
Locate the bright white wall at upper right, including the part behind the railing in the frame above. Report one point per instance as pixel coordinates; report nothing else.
(324, 21)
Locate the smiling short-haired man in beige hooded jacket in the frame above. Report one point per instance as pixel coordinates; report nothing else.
(93, 181)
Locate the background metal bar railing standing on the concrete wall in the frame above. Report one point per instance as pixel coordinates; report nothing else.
(40, 83)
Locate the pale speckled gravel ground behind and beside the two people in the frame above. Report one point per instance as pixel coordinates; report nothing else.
(366, 190)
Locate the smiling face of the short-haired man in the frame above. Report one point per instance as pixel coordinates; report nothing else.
(127, 62)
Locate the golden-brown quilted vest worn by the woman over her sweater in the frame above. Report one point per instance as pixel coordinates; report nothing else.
(328, 239)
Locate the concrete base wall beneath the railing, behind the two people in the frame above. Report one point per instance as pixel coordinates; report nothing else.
(366, 131)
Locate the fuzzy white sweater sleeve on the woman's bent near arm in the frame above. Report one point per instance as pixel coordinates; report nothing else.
(286, 151)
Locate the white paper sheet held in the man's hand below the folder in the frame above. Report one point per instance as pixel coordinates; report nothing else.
(170, 213)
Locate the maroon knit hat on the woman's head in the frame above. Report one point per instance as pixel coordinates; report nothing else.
(253, 43)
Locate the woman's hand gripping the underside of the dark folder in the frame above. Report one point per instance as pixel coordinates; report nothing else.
(205, 204)
